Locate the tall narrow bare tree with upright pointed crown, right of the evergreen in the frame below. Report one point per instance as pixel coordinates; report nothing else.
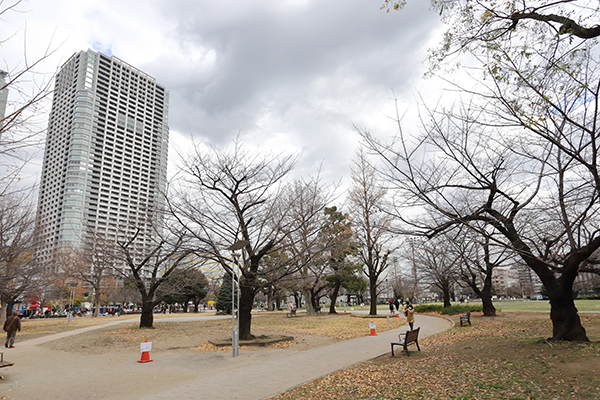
(371, 223)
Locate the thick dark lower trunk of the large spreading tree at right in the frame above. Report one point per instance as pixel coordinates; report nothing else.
(566, 324)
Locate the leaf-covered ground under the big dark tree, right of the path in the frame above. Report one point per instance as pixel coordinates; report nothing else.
(505, 357)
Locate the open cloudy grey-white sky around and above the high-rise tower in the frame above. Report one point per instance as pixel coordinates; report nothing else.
(286, 75)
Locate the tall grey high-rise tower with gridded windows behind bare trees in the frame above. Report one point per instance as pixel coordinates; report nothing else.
(105, 159)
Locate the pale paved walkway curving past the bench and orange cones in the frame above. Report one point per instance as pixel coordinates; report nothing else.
(176, 375)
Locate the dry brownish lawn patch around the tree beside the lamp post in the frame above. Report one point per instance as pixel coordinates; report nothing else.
(308, 331)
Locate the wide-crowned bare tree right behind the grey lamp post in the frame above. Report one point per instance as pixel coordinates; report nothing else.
(234, 196)
